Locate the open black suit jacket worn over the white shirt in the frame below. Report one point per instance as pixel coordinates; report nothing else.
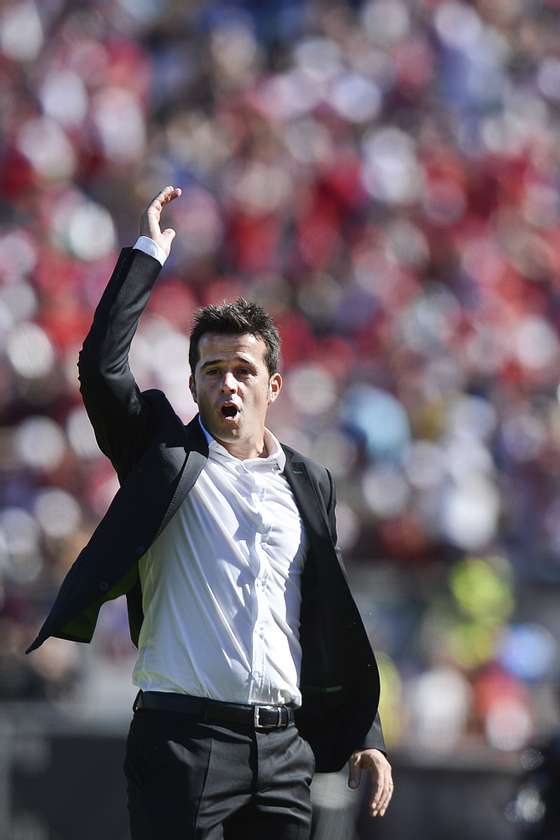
(158, 460)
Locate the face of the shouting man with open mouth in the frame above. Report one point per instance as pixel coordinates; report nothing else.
(233, 388)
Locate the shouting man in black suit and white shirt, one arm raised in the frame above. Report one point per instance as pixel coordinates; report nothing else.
(253, 662)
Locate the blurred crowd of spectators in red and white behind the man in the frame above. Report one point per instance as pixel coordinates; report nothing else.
(383, 177)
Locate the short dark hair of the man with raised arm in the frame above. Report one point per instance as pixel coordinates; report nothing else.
(237, 318)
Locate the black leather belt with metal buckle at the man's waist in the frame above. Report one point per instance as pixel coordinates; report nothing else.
(259, 717)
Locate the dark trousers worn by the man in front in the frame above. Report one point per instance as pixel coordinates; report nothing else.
(187, 779)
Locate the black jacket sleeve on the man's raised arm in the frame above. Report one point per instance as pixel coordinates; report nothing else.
(119, 415)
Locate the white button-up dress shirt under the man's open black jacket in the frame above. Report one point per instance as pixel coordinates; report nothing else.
(222, 586)
